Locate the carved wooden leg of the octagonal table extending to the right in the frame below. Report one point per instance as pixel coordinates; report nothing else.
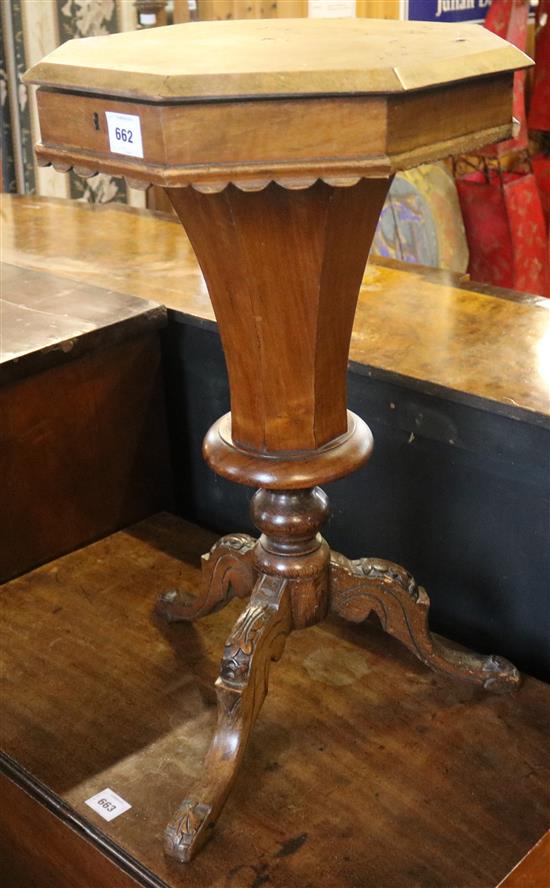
(371, 585)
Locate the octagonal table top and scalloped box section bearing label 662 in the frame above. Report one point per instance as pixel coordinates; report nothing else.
(337, 100)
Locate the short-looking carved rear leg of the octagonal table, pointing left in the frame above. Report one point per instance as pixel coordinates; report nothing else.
(227, 572)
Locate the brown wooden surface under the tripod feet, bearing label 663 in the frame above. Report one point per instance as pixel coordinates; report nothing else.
(365, 768)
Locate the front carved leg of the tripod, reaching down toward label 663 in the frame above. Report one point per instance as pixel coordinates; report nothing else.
(258, 638)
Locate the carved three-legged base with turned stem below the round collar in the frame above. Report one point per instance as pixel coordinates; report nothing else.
(292, 578)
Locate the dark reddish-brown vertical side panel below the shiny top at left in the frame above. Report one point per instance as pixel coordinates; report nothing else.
(83, 451)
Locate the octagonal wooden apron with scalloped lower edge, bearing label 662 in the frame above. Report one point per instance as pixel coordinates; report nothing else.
(293, 141)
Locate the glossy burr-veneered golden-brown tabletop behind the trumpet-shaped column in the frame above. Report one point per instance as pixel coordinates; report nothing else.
(429, 326)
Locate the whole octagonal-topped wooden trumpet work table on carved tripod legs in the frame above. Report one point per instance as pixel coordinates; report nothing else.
(289, 133)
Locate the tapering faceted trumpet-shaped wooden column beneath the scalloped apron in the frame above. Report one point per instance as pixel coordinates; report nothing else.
(283, 270)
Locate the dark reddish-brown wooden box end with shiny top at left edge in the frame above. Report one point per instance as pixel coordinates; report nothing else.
(83, 437)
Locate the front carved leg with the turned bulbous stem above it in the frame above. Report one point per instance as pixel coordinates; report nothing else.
(291, 560)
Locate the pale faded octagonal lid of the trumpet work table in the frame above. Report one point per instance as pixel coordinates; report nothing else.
(276, 57)
